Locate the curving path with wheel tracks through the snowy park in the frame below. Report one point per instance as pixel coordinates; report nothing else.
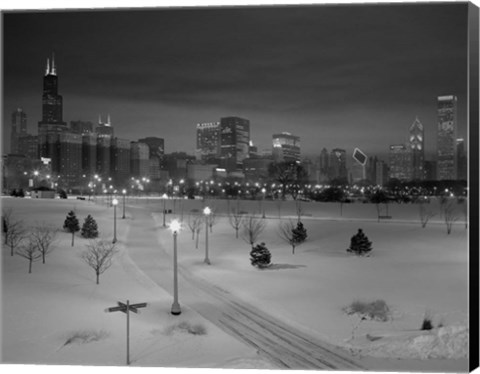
(281, 344)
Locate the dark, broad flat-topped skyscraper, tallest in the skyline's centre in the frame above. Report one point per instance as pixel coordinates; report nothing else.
(234, 142)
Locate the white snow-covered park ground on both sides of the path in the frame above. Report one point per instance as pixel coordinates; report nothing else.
(56, 314)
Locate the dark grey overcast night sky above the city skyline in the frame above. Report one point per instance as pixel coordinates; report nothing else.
(337, 76)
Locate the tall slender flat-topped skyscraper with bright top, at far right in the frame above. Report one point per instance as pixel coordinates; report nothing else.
(446, 137)
